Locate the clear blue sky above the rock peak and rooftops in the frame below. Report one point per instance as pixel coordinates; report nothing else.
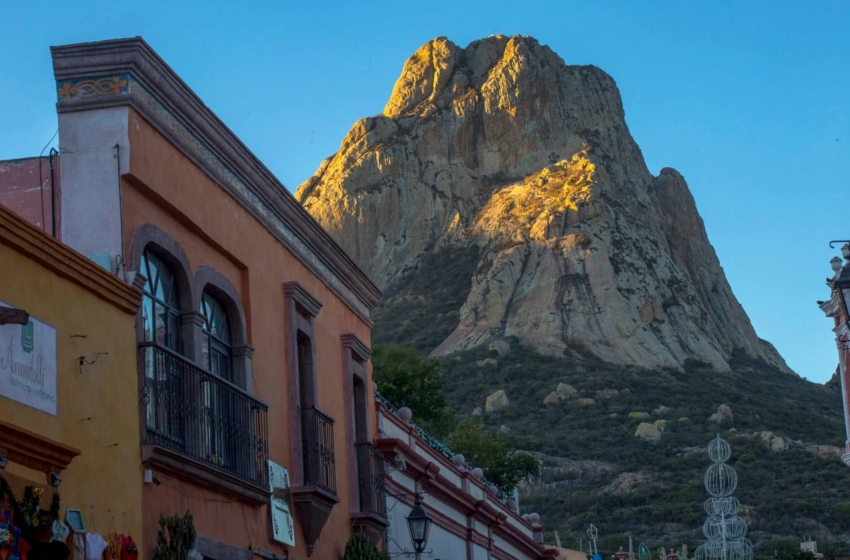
(749, 100)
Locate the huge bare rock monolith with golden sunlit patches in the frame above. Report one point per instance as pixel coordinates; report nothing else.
(503, 146)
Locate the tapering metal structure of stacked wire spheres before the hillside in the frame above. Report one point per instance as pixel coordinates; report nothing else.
(725, 531)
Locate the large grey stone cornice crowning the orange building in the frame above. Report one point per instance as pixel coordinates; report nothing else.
(127, 72)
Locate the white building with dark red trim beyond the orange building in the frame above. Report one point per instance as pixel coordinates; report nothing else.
(469, 522)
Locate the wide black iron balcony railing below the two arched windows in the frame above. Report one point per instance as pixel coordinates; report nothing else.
(199, 415)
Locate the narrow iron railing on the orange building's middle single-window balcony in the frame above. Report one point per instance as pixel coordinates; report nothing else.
(317, 439)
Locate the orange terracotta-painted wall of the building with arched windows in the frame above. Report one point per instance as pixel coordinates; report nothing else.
(213, 229)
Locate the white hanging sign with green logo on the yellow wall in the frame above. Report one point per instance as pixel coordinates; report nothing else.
(28, 364)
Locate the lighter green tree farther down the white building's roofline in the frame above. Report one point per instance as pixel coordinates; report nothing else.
(495, 453)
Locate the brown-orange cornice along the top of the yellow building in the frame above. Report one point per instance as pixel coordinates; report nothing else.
(67, 263)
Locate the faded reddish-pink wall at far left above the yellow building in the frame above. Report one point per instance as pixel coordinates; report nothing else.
(20, 189)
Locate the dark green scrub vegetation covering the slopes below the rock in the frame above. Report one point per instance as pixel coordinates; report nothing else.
(594, 469)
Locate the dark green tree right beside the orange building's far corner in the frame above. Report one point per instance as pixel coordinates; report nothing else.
(406, 378)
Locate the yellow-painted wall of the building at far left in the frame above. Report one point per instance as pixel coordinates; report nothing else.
(104, 477)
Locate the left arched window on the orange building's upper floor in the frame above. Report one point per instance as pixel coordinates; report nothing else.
(160, 303)
